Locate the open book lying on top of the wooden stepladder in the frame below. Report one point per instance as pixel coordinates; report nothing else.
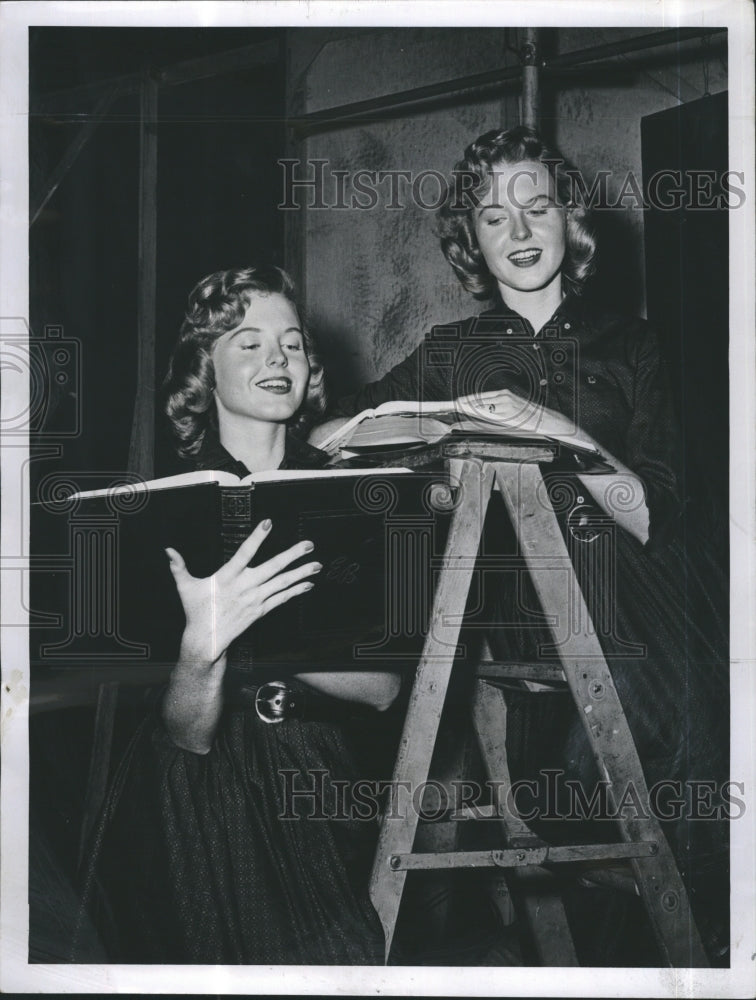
(403, 422)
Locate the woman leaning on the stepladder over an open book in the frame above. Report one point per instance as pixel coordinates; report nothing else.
(544, 360)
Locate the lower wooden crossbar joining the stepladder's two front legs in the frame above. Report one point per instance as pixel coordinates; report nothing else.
(521, 856)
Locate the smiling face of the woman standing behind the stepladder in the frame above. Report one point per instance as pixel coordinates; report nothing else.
(521, 231)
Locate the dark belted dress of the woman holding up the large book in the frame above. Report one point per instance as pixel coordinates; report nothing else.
(192, 860)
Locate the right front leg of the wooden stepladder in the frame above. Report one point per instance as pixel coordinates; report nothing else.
(595, 696)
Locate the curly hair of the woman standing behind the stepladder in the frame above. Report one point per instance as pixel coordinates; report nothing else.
(471, 179)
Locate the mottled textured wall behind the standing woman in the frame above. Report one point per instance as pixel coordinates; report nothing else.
(374, 279)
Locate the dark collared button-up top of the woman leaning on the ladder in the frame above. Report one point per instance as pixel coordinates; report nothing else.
(600, 369)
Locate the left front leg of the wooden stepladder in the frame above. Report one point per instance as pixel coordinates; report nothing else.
(429, 691)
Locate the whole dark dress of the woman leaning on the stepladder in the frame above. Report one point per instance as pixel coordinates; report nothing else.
(660, 610)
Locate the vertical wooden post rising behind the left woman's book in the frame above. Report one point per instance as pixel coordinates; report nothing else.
(142, 447)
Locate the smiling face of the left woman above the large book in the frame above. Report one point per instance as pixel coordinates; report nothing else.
(261, 366)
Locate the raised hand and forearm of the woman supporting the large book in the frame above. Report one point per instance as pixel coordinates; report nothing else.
(218, 609)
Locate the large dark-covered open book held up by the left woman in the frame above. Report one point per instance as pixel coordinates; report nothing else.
(102, 589)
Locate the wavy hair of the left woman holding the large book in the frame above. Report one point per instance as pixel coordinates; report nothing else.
(216, 305)
